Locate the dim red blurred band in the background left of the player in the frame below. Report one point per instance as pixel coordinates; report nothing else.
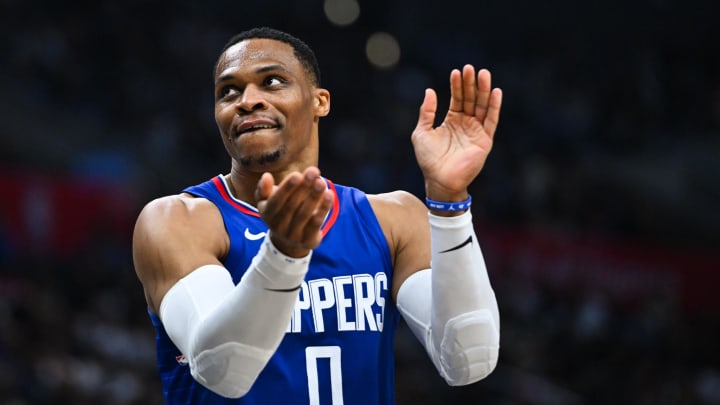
(42, 214)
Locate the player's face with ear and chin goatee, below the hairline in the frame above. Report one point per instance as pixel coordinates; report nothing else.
(266, 107)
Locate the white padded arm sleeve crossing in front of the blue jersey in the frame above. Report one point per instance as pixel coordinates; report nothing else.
(228, 333)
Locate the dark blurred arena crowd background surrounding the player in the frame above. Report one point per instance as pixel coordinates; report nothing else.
(597, 210)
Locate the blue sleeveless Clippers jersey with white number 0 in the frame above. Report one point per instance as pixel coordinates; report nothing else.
(338, 348)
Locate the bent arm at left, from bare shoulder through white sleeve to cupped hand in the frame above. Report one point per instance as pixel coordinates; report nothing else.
(227, 332)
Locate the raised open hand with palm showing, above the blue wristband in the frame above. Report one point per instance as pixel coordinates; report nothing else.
(453, 154)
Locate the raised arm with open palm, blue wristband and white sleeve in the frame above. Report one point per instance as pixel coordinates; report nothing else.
(459, 326)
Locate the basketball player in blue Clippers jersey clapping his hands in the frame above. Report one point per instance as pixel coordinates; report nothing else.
(273, 285)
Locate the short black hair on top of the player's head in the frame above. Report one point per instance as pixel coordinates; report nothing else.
(302, 51)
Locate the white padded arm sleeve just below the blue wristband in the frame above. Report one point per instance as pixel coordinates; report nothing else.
(459, 325)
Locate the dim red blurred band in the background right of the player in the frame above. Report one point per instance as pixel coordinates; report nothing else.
(626, 271)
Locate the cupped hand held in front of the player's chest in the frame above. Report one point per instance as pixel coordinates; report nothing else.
(294, 210)
